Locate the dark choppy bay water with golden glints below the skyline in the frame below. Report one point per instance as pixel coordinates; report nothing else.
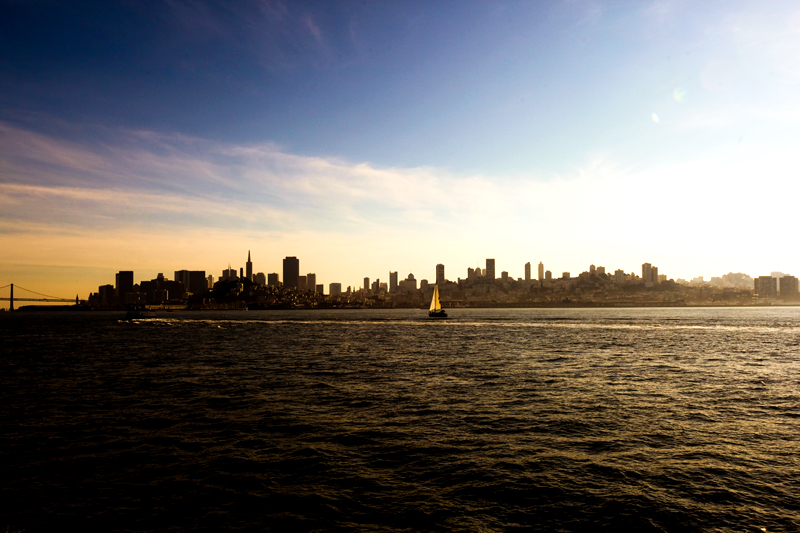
(496, 420)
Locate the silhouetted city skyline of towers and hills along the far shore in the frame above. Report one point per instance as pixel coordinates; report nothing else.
(480, 288)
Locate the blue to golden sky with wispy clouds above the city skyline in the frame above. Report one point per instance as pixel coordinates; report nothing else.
(367, 137)
